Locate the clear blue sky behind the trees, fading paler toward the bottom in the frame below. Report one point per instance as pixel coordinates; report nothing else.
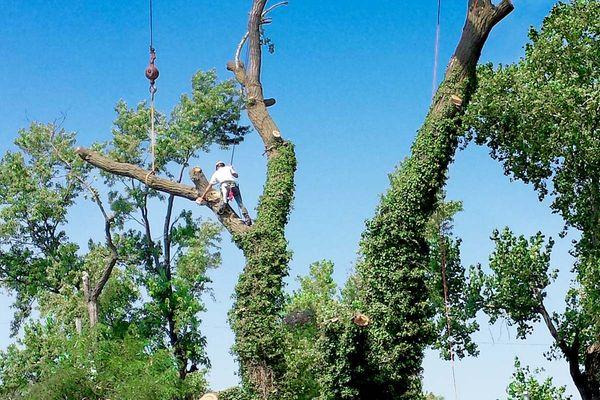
(353, 83)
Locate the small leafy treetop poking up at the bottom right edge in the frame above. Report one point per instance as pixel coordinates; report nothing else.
(525, 386)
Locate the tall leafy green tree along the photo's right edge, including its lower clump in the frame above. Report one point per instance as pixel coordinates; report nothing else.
(540, 117)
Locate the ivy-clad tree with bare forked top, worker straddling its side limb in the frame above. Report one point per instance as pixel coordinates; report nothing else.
(259, 296)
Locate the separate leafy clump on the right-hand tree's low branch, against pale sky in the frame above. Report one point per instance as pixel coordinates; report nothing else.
(521, 273)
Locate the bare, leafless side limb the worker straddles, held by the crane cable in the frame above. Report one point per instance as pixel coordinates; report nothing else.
(228, 217)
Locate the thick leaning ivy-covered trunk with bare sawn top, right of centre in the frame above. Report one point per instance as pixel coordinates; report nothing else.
(392, 274)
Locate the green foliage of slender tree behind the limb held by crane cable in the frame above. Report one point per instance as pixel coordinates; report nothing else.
(172, 271)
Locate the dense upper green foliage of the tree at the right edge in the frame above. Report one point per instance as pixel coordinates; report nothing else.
(540, 119)
